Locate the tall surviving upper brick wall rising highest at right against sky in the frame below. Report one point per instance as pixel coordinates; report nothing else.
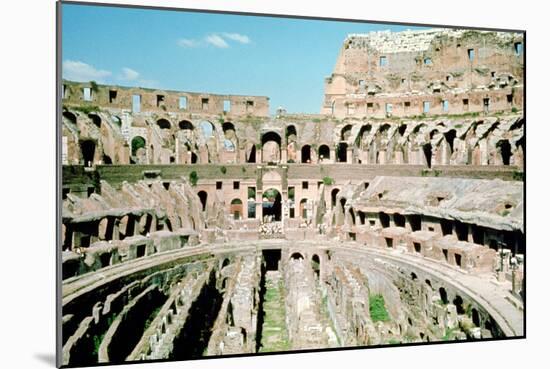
(428, 72)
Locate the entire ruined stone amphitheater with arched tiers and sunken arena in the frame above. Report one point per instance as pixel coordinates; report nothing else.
(198, 224)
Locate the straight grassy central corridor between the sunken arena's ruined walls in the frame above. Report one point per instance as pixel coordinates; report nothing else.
(274, 331)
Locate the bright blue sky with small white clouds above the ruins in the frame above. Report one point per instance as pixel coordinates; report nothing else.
(284, 59)
